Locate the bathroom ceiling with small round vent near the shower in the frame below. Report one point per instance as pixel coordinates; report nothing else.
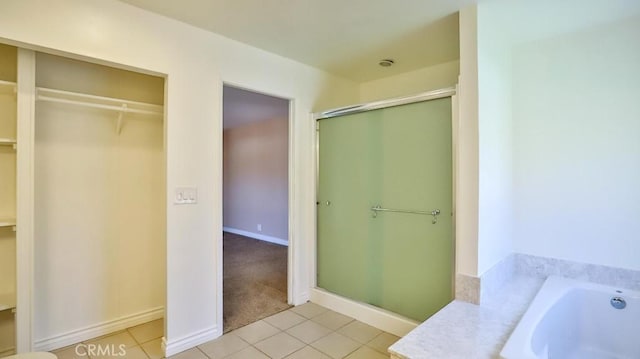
(343, 37)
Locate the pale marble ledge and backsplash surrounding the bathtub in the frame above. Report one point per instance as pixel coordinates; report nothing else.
(487, 308)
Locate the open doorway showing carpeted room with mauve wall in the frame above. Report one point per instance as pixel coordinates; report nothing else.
(255, 206)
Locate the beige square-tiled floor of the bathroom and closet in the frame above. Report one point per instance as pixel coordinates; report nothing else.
(308, 331)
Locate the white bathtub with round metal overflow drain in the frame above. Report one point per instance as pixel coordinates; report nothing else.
(569, 319)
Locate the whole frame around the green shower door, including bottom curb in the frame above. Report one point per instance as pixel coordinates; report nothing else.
(375, 316)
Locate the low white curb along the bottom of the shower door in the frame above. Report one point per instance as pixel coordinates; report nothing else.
(376, 317)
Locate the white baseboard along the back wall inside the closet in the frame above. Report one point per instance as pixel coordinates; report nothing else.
(93, 331)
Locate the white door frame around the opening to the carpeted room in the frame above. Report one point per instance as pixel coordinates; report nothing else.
(292, 258)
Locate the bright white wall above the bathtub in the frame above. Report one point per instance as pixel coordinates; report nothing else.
(552, 142)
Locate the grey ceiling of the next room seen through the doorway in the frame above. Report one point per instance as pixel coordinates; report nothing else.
(241, 107)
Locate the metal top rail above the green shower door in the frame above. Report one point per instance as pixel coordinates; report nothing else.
(431, 95)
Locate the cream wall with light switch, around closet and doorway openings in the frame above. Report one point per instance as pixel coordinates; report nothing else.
(195, 63)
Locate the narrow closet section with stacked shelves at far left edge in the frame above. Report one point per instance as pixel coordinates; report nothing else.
(8, 70)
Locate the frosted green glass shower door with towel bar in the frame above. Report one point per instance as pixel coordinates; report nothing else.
(398, 158)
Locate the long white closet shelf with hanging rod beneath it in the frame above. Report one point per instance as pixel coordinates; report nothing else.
(100, 102)
